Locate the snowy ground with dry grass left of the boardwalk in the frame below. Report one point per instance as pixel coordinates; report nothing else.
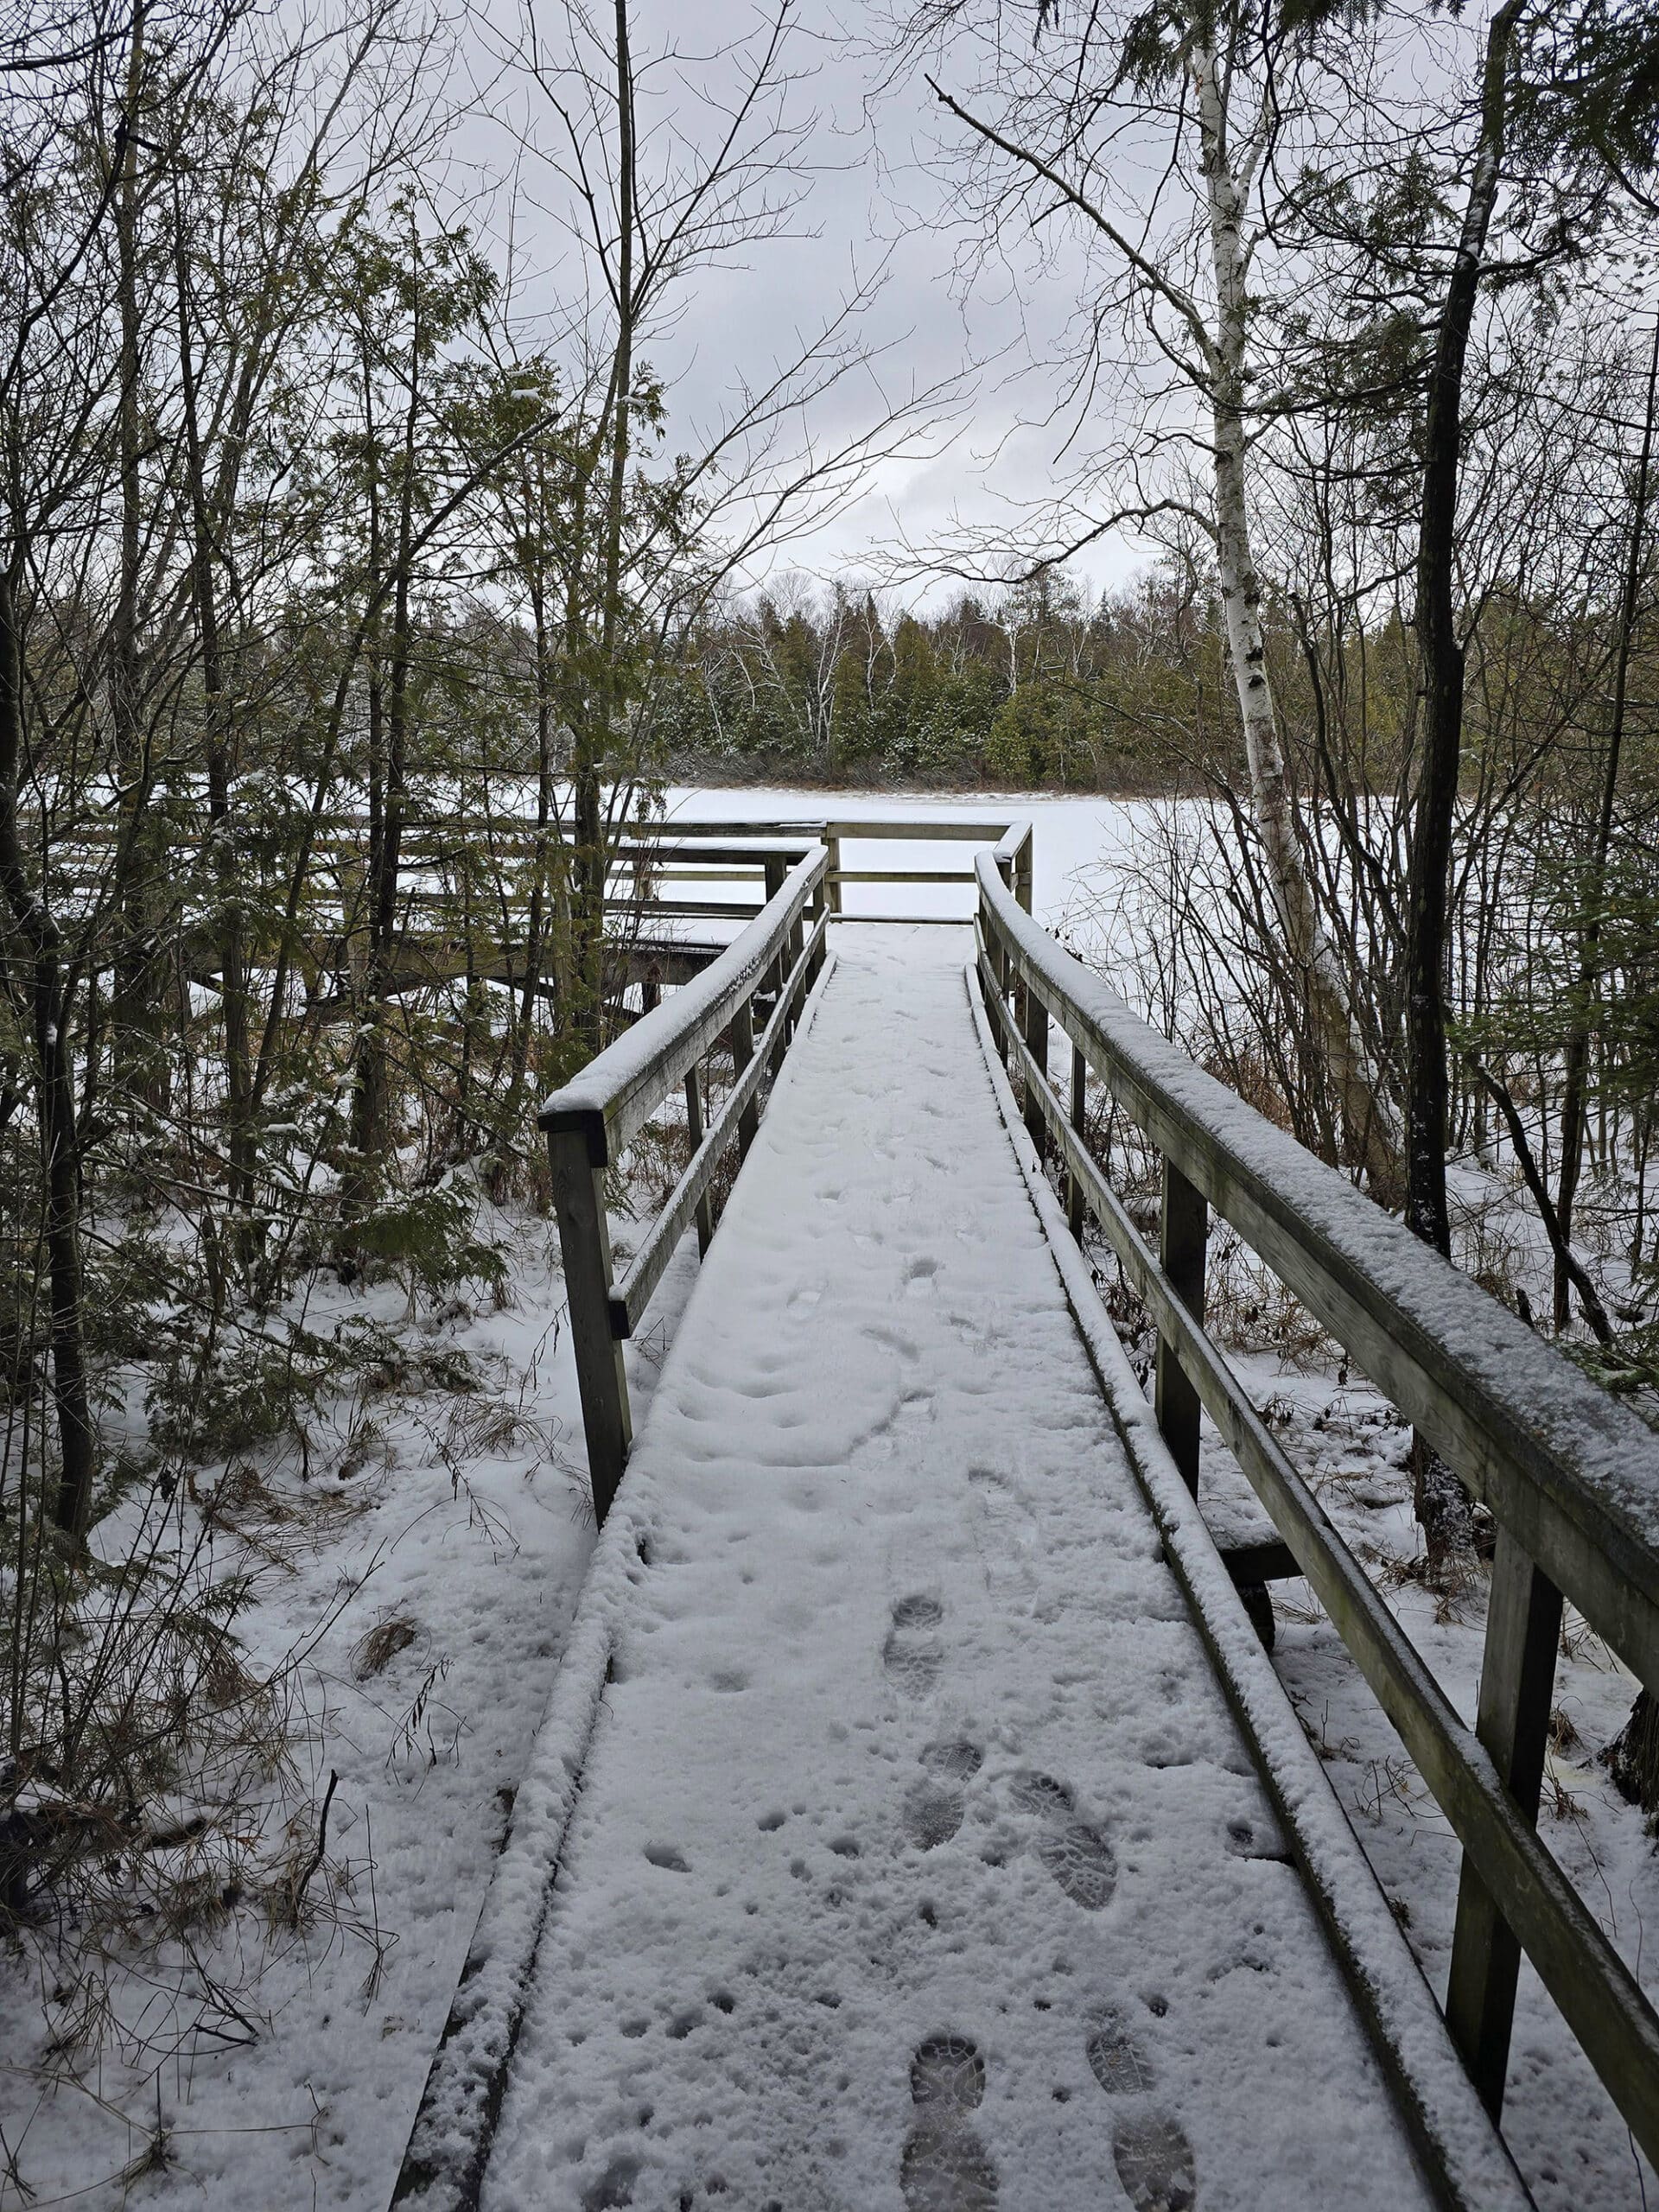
(415, 1589)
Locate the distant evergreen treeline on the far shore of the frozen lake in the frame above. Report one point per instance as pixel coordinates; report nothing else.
(1045, 687)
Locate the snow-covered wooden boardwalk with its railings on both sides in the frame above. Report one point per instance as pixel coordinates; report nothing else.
(919, 1822)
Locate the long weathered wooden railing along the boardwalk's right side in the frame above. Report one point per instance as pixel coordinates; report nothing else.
(1567, 1472)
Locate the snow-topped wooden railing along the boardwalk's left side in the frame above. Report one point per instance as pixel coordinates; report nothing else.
(592, 1123)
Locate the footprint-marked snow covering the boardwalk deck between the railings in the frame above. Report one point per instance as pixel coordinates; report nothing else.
(917, 1864)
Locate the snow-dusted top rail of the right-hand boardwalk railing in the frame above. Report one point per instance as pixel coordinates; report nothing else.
(1563, 1463)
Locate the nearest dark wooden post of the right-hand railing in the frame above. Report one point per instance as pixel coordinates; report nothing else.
(1514, 1720)
